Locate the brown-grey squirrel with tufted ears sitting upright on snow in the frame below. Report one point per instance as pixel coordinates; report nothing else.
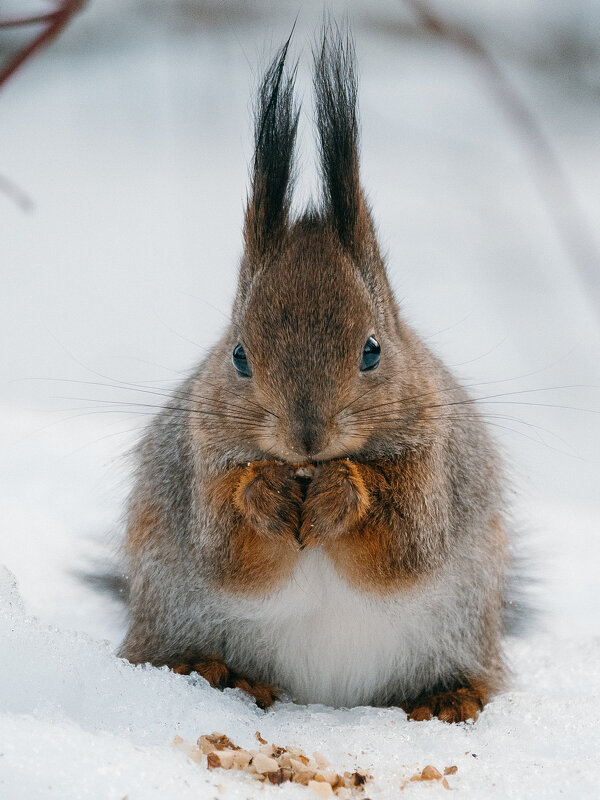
(313, 512)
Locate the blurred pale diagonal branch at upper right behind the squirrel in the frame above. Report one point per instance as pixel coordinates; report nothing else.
(549, 176)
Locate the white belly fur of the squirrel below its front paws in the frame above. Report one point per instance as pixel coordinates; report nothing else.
(322, 640)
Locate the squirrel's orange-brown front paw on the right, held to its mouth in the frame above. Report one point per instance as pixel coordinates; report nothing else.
(337, 499)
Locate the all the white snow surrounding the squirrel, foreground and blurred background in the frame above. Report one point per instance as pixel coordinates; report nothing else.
(131, 136)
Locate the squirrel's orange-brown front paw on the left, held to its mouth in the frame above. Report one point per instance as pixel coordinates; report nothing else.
(269, 497)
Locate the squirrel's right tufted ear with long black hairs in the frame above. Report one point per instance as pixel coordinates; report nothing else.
(335, 86)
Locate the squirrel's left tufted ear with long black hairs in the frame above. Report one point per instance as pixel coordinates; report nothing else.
(276, 123)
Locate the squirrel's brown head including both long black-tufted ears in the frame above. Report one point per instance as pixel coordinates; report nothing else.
(315, 341)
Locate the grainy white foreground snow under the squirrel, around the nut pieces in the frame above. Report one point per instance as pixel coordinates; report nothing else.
(77, 722)
